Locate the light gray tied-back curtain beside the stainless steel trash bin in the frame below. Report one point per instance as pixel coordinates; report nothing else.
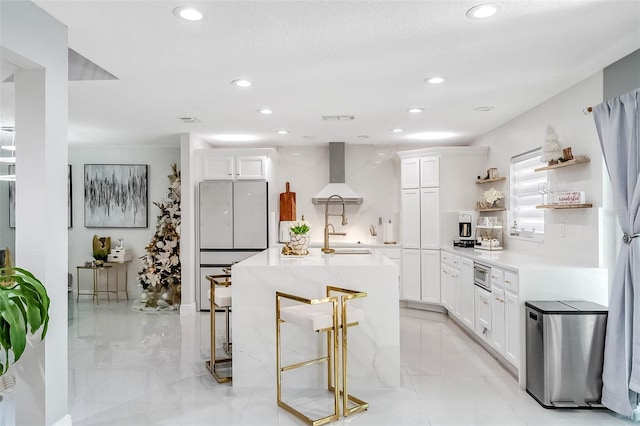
(617, 122)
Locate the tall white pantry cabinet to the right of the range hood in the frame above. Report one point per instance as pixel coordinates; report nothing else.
(434, 182)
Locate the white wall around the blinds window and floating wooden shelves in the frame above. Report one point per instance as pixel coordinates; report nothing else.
(565, 113)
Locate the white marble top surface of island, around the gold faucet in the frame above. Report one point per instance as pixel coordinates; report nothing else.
(274, 257)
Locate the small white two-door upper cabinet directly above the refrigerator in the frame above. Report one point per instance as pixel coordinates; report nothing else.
(232, 167)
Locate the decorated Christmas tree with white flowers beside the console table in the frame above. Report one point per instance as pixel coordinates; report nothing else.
(160, 270)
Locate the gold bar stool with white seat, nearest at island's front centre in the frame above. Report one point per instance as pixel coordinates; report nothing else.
(320, 315)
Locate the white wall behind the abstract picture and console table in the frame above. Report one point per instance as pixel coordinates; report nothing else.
(159, 161)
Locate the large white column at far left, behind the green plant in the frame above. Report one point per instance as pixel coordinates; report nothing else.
(37, 43)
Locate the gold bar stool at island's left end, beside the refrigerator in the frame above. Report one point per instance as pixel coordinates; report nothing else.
(220, 298)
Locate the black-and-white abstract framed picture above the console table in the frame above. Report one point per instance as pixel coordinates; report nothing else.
(115, 196)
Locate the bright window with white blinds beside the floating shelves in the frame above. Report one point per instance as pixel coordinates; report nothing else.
(526, 186)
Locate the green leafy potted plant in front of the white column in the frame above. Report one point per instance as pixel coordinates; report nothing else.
(24, 308)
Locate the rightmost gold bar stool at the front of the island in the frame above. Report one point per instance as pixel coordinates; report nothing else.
(349, 317)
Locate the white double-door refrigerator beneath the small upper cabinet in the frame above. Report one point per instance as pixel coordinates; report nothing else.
(233, 225)
